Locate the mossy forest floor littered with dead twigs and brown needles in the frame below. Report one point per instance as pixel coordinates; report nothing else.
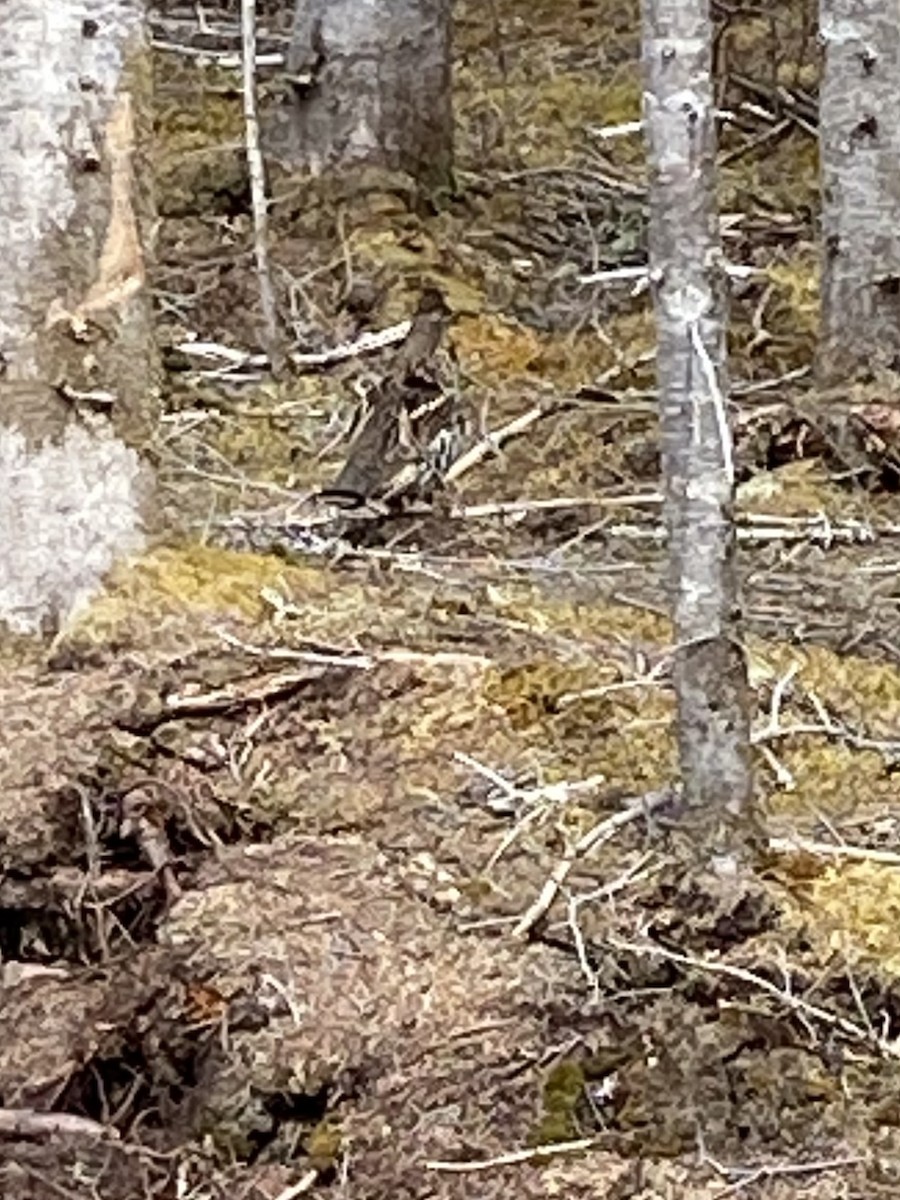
(341, 869)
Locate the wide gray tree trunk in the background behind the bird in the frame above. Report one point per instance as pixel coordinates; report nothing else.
(369, 85)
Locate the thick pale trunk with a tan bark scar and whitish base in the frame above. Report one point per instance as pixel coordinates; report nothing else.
(77, 386)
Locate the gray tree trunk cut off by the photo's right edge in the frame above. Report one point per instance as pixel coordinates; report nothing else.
(860, 123)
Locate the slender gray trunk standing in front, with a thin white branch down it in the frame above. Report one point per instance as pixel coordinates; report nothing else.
(691, 297)
